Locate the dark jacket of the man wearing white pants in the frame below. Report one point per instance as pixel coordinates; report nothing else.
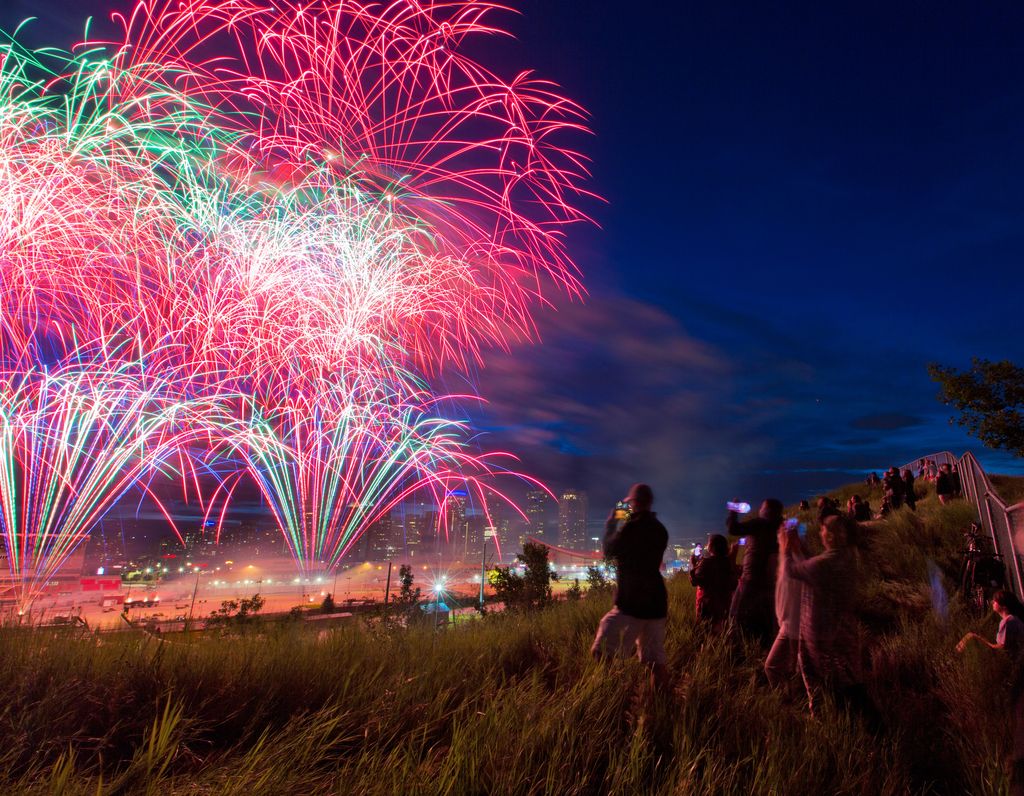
(637, 549)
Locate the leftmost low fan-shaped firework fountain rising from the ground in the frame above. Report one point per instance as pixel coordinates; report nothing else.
(72, 443)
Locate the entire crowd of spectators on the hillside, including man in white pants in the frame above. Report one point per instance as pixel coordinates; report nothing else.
(794, 595)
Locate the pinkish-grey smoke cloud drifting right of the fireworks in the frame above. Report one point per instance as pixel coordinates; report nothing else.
(619, 392)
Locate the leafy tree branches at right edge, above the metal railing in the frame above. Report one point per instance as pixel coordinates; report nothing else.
(990, 398)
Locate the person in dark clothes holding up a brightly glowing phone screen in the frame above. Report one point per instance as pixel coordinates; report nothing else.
(754, 601)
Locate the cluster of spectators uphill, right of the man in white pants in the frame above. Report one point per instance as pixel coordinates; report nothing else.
(799, 608)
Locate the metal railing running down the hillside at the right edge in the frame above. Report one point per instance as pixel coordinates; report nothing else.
(1004, 524)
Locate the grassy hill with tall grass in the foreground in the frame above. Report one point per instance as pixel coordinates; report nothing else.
(510, 705)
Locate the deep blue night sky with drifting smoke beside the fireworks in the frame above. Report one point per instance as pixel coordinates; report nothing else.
(806, 204)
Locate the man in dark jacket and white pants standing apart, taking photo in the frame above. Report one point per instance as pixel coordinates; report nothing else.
(642, 604)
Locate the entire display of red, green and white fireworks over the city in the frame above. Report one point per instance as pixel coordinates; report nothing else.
(289, 218)
